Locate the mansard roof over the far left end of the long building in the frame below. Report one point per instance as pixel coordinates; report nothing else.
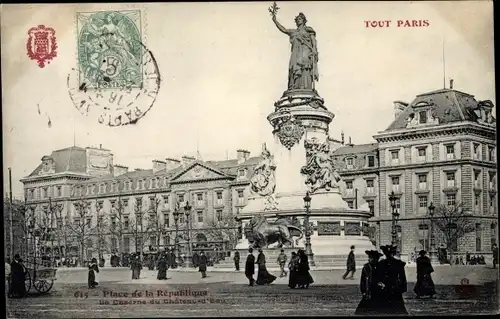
(71, 159)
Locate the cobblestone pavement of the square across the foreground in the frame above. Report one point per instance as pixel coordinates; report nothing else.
(226, 294)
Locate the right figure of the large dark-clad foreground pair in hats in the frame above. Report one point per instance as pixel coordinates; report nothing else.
(392, 280)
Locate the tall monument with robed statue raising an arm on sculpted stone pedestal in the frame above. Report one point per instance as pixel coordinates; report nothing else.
(300, 162)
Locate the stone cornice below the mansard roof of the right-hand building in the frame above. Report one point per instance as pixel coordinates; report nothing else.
(417, 133)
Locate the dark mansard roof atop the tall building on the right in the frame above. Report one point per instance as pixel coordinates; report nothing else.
(446, 105)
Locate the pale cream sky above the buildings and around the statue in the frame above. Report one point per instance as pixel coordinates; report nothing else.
(223, 65)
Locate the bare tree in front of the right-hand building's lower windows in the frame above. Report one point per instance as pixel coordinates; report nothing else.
(454, 222)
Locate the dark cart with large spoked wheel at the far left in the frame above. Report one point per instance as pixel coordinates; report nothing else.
(39, 275)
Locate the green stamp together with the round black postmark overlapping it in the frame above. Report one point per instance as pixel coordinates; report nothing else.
(117, 78)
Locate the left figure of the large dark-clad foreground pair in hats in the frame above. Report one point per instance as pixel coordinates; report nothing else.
(370, 290)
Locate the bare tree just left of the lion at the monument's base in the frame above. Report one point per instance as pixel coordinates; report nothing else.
(223, 230)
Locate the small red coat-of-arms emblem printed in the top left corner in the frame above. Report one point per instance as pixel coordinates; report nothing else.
(41, 45)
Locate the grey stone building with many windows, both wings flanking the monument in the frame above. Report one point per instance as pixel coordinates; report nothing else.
(440, 148)
